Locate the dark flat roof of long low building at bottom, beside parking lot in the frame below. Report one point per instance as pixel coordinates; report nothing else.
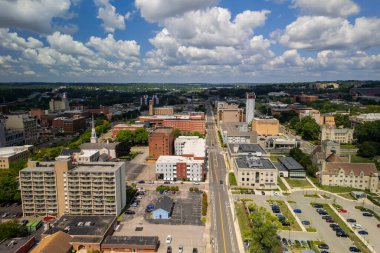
(128, 241)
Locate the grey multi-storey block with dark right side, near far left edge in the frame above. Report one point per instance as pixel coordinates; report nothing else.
(24, 123)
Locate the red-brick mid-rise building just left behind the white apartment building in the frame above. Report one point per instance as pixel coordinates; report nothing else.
(161, 141)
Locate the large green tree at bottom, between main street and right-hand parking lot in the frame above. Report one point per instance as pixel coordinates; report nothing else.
(264, 230)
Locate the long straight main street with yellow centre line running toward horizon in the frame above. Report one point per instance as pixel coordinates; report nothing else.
(222, 222)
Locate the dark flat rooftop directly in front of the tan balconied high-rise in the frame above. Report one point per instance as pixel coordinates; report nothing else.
(83, 225)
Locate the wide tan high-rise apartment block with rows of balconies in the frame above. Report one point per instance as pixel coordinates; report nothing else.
(61, 187)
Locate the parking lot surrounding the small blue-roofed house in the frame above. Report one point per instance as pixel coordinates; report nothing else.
(185, 221)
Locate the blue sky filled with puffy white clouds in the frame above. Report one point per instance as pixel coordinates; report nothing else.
(208, 41)
